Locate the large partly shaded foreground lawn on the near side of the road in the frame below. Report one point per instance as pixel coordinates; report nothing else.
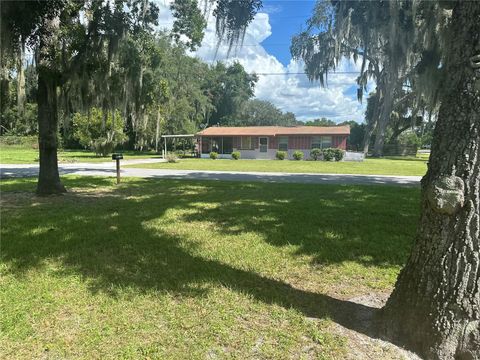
(173, 269)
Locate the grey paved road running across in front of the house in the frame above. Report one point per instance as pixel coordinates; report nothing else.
(108, 169)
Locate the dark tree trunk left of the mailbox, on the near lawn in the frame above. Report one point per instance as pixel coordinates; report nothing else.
(48, 177)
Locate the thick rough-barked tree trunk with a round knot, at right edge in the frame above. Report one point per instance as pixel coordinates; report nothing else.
(435, 307)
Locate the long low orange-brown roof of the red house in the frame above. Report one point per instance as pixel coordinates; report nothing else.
(274, 130)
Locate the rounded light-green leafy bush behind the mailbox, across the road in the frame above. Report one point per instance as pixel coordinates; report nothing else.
(101, 131)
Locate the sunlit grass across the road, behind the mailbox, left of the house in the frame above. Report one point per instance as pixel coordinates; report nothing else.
(16, 154)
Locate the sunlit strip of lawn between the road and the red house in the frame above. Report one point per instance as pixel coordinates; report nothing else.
(386, 166)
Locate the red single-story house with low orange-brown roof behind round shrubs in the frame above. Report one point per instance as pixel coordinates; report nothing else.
(263, 142)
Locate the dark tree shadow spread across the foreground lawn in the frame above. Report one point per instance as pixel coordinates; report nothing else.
(105, 238)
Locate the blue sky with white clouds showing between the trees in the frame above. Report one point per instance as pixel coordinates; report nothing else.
(266, 49)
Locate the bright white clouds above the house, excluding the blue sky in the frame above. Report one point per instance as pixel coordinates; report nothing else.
(292, 93)
